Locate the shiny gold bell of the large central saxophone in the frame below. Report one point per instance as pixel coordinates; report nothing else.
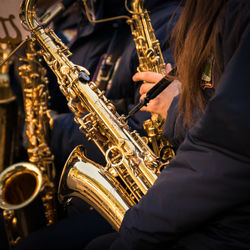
(87, 180)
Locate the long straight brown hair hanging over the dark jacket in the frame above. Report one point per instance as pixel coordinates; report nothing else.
(193, 41)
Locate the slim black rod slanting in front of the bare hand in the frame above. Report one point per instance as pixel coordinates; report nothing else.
(152, 93)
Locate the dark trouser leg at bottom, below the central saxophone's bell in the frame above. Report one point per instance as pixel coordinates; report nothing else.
(72, 233)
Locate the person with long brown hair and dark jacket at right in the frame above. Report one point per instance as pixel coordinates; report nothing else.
(199, 201)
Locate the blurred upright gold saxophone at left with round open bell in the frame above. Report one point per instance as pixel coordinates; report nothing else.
(27, 191)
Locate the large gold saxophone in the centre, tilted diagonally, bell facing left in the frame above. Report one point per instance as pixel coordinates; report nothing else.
(131, 165)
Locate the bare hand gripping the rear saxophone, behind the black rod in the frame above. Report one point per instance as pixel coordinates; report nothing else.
(162, 102)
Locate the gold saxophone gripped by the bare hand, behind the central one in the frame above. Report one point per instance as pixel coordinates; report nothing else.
(150, 59)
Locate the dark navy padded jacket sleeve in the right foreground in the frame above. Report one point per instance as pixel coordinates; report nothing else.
(211, 171)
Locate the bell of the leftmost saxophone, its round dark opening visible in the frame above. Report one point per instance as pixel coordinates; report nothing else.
(20, 185)
